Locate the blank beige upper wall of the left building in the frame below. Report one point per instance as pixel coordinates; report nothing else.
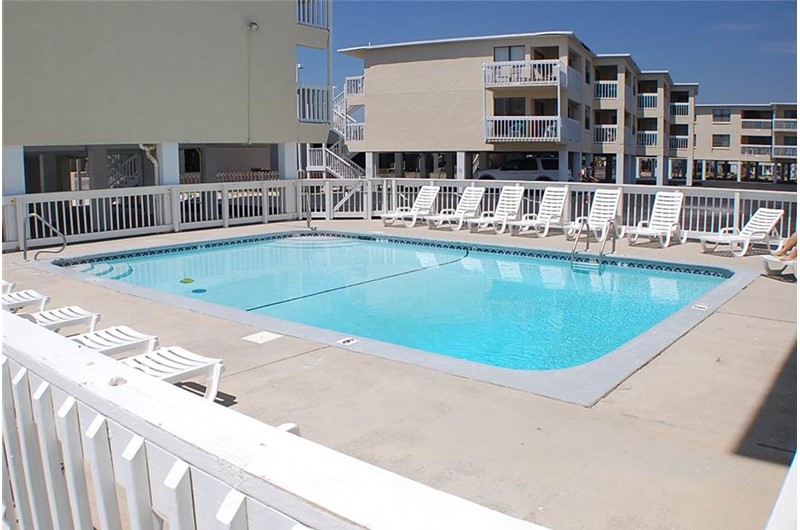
(110, 72)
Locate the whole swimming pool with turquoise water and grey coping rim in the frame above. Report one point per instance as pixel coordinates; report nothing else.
(517, 317)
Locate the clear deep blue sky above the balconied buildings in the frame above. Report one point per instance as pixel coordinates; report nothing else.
(739, 52)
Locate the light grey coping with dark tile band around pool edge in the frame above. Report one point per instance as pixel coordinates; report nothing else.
(585, 384)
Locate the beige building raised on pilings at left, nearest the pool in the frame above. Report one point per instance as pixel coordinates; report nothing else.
(144, 91)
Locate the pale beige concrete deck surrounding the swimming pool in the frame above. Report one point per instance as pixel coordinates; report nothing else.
(700, 437)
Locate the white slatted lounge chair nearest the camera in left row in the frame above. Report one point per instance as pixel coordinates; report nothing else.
(173, 364)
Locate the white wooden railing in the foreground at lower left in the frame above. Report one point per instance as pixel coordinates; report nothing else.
(112, 448)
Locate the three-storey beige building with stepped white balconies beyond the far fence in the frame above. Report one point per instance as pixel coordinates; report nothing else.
(471, 103)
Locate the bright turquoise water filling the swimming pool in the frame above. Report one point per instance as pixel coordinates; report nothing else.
(512, 311)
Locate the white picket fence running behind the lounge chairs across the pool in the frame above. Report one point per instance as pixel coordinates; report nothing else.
(103, 214)
